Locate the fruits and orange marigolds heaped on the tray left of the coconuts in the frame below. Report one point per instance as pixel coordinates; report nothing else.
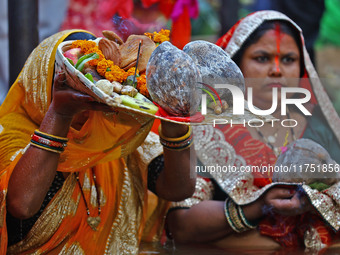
(117, 68)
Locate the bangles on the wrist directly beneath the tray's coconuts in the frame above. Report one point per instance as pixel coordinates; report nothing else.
(176, 144)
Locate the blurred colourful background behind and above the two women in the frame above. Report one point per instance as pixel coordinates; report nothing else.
(188, 20)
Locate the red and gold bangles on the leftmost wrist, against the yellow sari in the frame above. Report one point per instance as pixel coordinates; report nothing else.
(48, 142)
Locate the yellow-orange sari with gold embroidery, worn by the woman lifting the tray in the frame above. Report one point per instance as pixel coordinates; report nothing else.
(111, 145)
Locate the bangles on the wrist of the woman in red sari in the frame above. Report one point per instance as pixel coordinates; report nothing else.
(236, 218)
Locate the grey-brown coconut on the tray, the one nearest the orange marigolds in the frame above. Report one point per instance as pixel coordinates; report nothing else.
(172, 79)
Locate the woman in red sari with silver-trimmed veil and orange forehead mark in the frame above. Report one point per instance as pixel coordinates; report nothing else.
(269, 49)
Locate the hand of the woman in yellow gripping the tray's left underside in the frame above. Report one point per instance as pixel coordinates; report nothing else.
(67, 101)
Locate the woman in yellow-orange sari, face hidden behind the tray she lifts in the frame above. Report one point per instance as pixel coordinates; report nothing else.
(92, 197)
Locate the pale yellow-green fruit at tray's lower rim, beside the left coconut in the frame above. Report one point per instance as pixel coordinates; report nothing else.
(139, 102)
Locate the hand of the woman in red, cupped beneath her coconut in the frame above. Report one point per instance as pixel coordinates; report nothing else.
(286, 201)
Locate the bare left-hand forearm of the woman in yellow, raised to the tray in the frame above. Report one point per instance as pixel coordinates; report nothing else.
(35, 171)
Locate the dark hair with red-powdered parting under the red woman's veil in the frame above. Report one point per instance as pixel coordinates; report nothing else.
(285, 27)
